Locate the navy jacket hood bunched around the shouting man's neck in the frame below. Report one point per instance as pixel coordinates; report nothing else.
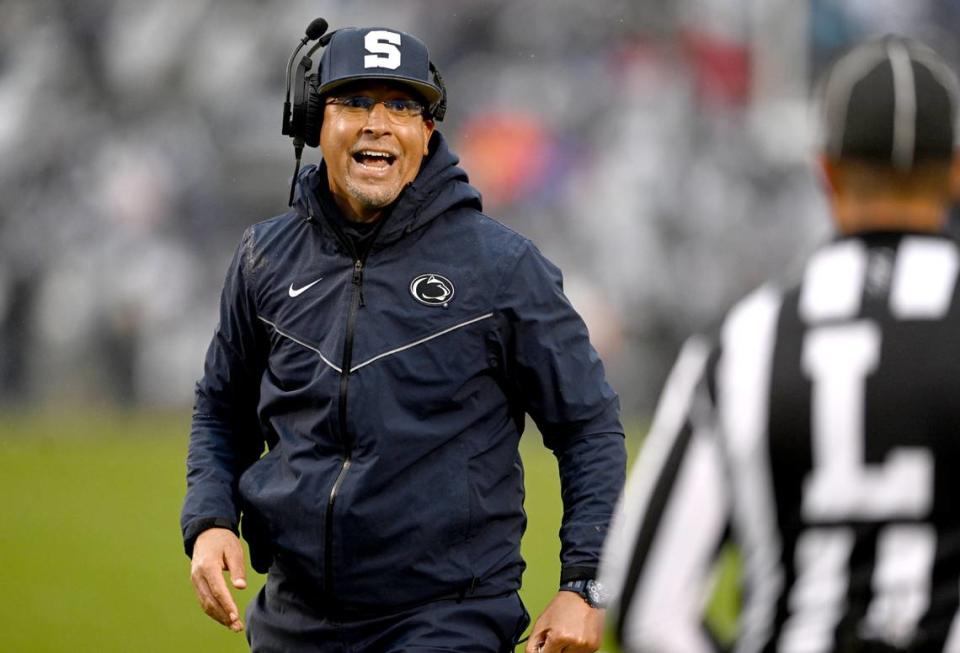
(441, 185)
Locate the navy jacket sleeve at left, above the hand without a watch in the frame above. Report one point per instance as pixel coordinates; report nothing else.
(225, 437)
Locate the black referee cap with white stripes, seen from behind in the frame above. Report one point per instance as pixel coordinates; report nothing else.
(892, 99)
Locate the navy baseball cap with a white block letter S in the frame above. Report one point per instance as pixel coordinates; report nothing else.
(378, 53)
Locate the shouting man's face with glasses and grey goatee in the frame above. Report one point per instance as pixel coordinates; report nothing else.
(371, 155)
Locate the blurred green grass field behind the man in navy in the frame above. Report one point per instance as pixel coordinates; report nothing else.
(90, 551)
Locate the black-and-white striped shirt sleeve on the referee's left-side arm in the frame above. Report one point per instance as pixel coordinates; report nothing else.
(670, 523)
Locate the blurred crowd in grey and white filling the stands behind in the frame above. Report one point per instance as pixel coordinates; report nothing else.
(659, 151)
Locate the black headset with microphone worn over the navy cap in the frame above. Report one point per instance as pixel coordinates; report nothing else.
(302, 119)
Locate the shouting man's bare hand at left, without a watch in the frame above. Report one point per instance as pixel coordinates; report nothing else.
(216, 550)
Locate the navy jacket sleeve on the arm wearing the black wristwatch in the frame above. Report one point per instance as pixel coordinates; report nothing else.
(560, 381)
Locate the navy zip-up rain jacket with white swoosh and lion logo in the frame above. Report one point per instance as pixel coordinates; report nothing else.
(393, 475)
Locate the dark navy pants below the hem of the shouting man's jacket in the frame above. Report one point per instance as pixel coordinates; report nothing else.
(279, 622)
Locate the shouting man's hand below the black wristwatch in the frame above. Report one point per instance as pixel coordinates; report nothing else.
(569, 625)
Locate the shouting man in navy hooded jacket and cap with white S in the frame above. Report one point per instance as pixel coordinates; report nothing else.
(383, 342)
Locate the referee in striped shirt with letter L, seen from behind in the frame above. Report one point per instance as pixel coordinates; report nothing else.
(821, 433)
